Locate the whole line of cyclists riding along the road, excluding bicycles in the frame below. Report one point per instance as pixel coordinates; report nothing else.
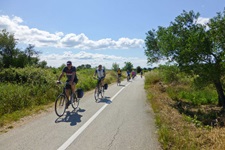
(72, 79)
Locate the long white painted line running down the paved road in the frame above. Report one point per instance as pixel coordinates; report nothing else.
(82, 128)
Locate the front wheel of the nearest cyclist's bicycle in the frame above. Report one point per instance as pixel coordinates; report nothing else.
(60, 105)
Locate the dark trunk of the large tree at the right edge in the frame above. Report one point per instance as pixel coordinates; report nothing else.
(221, 97)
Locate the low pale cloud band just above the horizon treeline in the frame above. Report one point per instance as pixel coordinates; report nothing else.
(94, 59)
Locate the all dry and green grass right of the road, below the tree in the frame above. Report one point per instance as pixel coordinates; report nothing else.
(182, 123)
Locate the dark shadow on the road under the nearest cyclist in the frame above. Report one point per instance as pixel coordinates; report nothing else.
(71, 116)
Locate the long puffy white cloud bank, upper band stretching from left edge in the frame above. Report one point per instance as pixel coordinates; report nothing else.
(42, 38)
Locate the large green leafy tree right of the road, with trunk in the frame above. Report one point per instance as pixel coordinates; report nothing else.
(195, 49)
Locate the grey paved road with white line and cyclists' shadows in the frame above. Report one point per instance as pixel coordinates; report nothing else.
(121, 121)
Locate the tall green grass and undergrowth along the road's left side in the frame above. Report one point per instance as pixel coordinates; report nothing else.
(25, 94)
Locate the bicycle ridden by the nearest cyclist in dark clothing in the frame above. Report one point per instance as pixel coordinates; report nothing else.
(62, 99)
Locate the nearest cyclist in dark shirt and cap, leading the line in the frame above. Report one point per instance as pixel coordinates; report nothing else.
(72, 79)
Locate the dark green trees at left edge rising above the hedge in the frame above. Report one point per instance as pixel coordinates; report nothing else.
(10, 56)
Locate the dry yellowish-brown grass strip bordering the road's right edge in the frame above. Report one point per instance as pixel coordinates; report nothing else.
(179, 130)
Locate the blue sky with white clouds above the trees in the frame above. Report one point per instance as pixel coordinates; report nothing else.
(94, 31)
